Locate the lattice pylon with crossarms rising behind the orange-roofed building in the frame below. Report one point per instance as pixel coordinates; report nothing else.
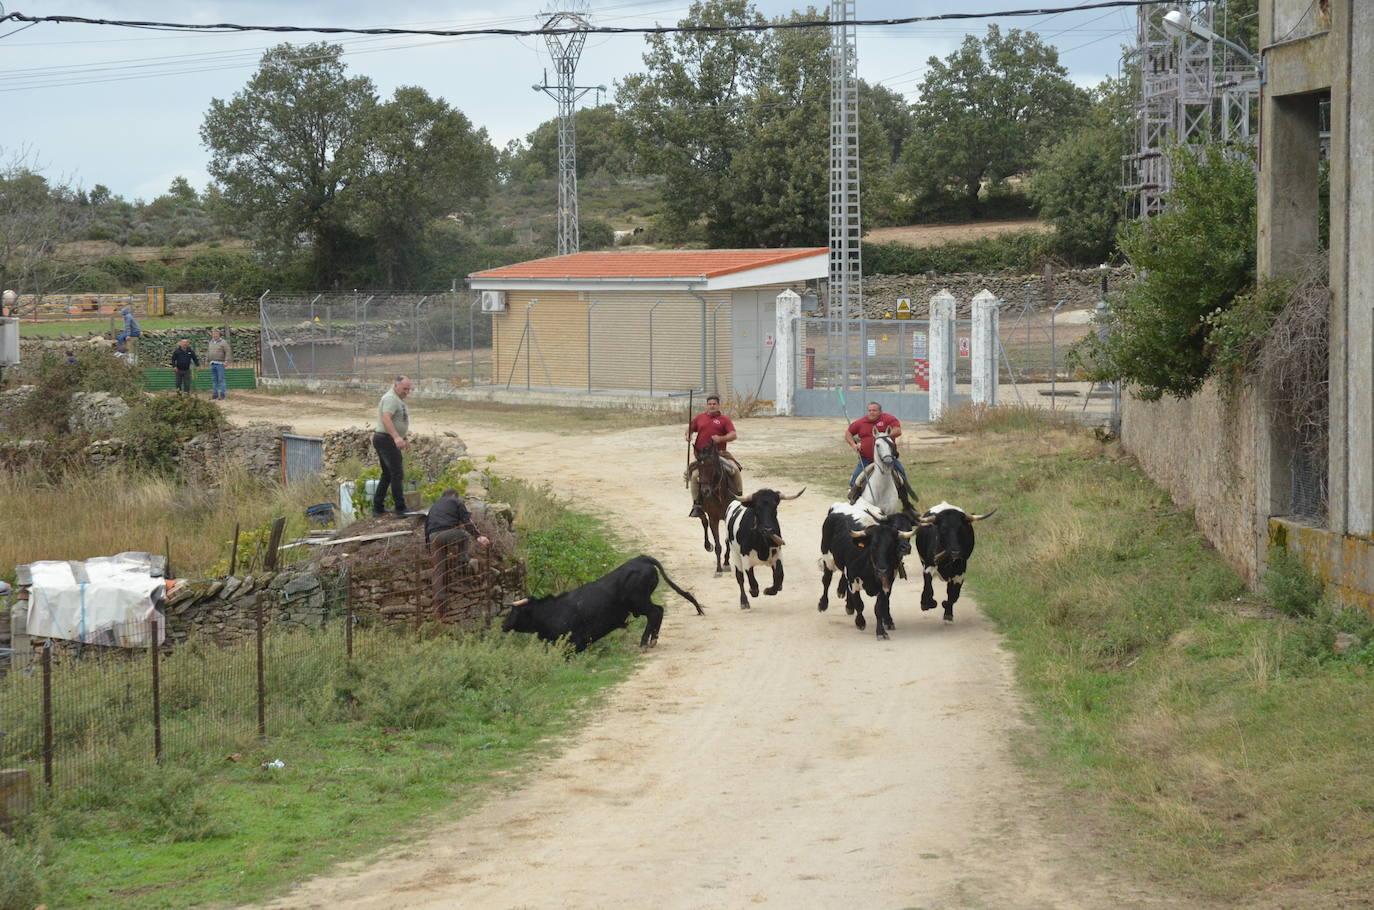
(565, 52)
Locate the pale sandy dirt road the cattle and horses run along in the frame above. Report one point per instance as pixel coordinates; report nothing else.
(772, 758)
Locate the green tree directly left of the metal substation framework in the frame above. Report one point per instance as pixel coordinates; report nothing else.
(1078, 181)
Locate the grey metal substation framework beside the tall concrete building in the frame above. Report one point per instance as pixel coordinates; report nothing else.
(1191, 90)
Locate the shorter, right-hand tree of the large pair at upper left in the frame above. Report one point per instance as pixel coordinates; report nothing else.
(424, 162)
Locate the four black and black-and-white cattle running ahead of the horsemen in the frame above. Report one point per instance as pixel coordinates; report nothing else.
(859, 544)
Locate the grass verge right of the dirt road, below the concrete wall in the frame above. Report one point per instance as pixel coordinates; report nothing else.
(1211, 742)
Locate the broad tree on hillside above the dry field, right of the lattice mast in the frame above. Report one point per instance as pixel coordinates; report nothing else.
(986, 111)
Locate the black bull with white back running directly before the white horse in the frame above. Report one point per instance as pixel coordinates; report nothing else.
(866, 549)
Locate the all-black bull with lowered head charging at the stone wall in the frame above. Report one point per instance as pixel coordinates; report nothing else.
(593, 611)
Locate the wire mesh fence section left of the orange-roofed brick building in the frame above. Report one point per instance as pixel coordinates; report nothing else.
(376, 336)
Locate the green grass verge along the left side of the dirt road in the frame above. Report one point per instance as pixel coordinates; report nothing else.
(413, 735)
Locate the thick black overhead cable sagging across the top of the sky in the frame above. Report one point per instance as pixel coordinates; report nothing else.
(222, 28)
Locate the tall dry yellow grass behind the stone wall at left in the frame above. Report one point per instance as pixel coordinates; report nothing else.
(91, 513)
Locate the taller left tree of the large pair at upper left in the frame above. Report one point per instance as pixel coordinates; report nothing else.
(289, 152)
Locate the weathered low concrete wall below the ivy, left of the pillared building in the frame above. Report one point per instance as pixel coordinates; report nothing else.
(1203, 453)
